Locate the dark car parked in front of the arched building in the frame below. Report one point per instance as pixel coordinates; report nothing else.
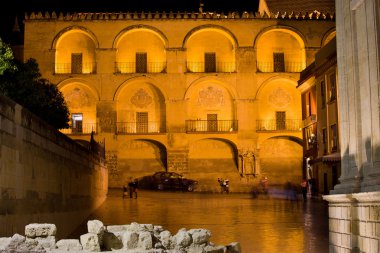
(163, 180)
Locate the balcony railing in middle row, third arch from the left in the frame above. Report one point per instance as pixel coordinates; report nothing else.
(211, 126)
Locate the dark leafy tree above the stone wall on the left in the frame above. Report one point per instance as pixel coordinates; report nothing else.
(22, 83)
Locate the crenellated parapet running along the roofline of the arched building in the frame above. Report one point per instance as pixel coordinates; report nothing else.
(179, 15)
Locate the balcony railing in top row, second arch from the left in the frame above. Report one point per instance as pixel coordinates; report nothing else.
(130, 67)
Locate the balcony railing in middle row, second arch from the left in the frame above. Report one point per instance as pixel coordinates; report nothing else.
(139, 128)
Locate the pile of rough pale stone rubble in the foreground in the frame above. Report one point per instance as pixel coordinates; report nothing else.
(132, 238)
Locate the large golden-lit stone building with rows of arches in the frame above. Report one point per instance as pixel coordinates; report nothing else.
(205, 94)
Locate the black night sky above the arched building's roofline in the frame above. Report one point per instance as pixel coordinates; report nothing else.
(19, 7)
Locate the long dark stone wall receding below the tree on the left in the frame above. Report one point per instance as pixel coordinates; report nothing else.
(44, 175)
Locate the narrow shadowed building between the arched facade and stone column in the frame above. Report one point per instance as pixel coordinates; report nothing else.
(320, 114)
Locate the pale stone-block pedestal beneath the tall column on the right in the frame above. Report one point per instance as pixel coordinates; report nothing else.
(354, 222)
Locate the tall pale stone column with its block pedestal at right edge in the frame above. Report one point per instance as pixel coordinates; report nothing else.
(354, 203)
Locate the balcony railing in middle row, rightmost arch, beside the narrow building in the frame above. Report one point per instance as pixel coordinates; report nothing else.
(293, 125)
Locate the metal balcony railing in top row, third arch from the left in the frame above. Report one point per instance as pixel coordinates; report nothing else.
(220, 67)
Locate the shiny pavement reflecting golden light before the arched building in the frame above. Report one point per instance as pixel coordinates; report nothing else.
(259, 224)
